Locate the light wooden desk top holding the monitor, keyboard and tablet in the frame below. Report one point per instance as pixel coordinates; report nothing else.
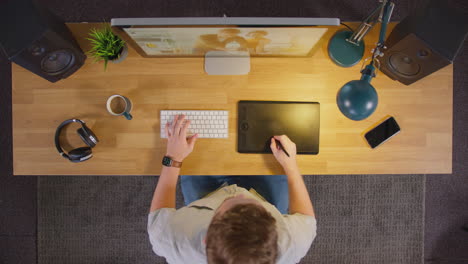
(423, 110)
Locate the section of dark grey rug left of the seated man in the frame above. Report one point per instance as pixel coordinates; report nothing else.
(94, 220)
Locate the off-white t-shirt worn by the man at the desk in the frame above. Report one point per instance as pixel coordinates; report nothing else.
(178, 235)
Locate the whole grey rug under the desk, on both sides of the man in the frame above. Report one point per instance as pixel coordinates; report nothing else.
(361, 219)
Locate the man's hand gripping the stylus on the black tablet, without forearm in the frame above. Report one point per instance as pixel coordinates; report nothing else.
(288, 163)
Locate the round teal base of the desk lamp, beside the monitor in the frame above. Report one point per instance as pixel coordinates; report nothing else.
(342, 52)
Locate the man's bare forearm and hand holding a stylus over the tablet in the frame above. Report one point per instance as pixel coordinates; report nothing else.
(299, 199)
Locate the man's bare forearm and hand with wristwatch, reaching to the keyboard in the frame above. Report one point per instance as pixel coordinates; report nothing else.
(178, 148)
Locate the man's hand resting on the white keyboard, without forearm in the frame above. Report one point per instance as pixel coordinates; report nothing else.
(178, 145)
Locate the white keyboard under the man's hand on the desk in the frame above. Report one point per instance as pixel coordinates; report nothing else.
(207, 124)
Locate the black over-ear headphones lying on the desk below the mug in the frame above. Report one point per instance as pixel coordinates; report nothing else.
(78, 154)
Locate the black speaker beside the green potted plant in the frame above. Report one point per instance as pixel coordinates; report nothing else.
(34, 38)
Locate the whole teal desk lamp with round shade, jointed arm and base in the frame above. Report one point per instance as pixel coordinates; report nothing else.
(358, 99)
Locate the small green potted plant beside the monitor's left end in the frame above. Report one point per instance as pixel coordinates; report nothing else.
(106, 46)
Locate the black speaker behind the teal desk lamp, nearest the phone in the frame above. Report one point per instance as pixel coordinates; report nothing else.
(424, 42)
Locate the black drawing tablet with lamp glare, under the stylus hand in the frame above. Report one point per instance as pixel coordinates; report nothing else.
(259, 120)
